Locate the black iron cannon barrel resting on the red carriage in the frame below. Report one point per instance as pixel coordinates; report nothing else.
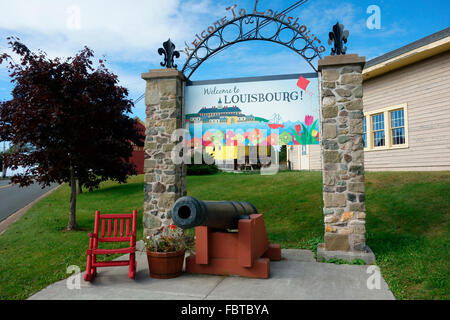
(189, 212)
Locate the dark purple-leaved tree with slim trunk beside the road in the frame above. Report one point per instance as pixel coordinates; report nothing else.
(74, 116)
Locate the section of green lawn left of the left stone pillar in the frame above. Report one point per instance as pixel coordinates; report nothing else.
(35, 252)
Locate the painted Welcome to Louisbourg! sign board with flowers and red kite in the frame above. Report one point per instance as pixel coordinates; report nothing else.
(258, 111)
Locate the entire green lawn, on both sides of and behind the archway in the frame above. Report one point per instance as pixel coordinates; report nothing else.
(407, 224)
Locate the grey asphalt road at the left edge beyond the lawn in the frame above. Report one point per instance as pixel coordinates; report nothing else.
(13, 198)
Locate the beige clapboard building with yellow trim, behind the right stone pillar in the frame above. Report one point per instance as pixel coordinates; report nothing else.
(406, 108)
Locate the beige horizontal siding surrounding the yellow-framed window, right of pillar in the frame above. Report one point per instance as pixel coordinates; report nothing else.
(425, 88)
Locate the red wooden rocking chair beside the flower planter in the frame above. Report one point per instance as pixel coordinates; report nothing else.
(114, 228)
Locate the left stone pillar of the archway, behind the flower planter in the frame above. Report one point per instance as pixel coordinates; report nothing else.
(164, 180)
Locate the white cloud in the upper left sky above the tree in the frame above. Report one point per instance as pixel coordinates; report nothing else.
(125, 30)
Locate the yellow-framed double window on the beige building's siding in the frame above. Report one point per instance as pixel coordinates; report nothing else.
(386, 128)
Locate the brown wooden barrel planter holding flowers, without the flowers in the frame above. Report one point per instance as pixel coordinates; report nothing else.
(165, 265)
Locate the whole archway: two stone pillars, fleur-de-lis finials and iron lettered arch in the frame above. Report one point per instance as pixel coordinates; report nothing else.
(341, 127)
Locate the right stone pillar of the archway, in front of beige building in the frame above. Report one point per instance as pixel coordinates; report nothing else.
(343, 159)
